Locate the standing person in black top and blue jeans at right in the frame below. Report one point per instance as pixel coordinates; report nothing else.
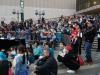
(89, 34)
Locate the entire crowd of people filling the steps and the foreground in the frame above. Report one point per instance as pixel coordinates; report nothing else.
(42, 39)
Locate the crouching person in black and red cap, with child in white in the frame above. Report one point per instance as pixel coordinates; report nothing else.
(68, 59)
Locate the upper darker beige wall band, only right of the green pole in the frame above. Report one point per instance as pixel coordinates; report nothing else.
(61, 4)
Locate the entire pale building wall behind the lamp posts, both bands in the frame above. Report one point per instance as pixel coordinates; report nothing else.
(52, 8)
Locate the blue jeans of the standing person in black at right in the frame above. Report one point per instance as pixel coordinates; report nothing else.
(88, 47)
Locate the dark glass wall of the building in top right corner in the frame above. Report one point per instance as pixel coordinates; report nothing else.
(83, 4)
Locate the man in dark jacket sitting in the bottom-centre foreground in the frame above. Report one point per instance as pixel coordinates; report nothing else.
(46, 65)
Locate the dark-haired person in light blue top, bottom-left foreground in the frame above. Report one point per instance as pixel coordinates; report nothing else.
(20, 63)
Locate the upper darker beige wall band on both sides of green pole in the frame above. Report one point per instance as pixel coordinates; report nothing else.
(61, 4)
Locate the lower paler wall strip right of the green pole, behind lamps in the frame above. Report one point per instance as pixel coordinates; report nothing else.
(49, 12)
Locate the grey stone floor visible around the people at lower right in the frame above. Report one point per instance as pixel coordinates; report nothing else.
(93, 69)
